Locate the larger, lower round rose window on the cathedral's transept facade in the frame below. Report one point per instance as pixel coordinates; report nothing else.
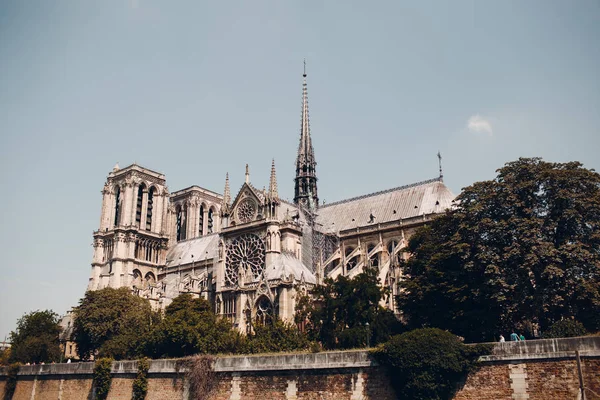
(245, 256)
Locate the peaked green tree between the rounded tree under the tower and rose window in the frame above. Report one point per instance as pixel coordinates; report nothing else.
(190, 327)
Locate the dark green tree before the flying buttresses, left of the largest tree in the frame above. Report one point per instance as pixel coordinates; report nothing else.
(345, 313)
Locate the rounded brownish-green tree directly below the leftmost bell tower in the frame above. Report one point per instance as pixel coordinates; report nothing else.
(111, 323)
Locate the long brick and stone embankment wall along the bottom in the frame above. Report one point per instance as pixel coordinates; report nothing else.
(524, 370)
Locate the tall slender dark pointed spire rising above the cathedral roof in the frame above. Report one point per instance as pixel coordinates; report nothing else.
(305, 192)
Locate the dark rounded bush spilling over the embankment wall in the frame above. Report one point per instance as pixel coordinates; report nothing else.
(429, 363)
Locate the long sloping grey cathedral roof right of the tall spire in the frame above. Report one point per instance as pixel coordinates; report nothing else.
(422, 198)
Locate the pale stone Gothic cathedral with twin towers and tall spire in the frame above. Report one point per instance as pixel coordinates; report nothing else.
(253, 255)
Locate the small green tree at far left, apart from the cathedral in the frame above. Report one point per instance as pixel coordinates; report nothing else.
(36, 338)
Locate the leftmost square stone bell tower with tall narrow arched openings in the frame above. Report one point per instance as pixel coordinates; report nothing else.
(131, 242)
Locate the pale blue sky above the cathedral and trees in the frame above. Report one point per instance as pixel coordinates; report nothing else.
(197, 89)
